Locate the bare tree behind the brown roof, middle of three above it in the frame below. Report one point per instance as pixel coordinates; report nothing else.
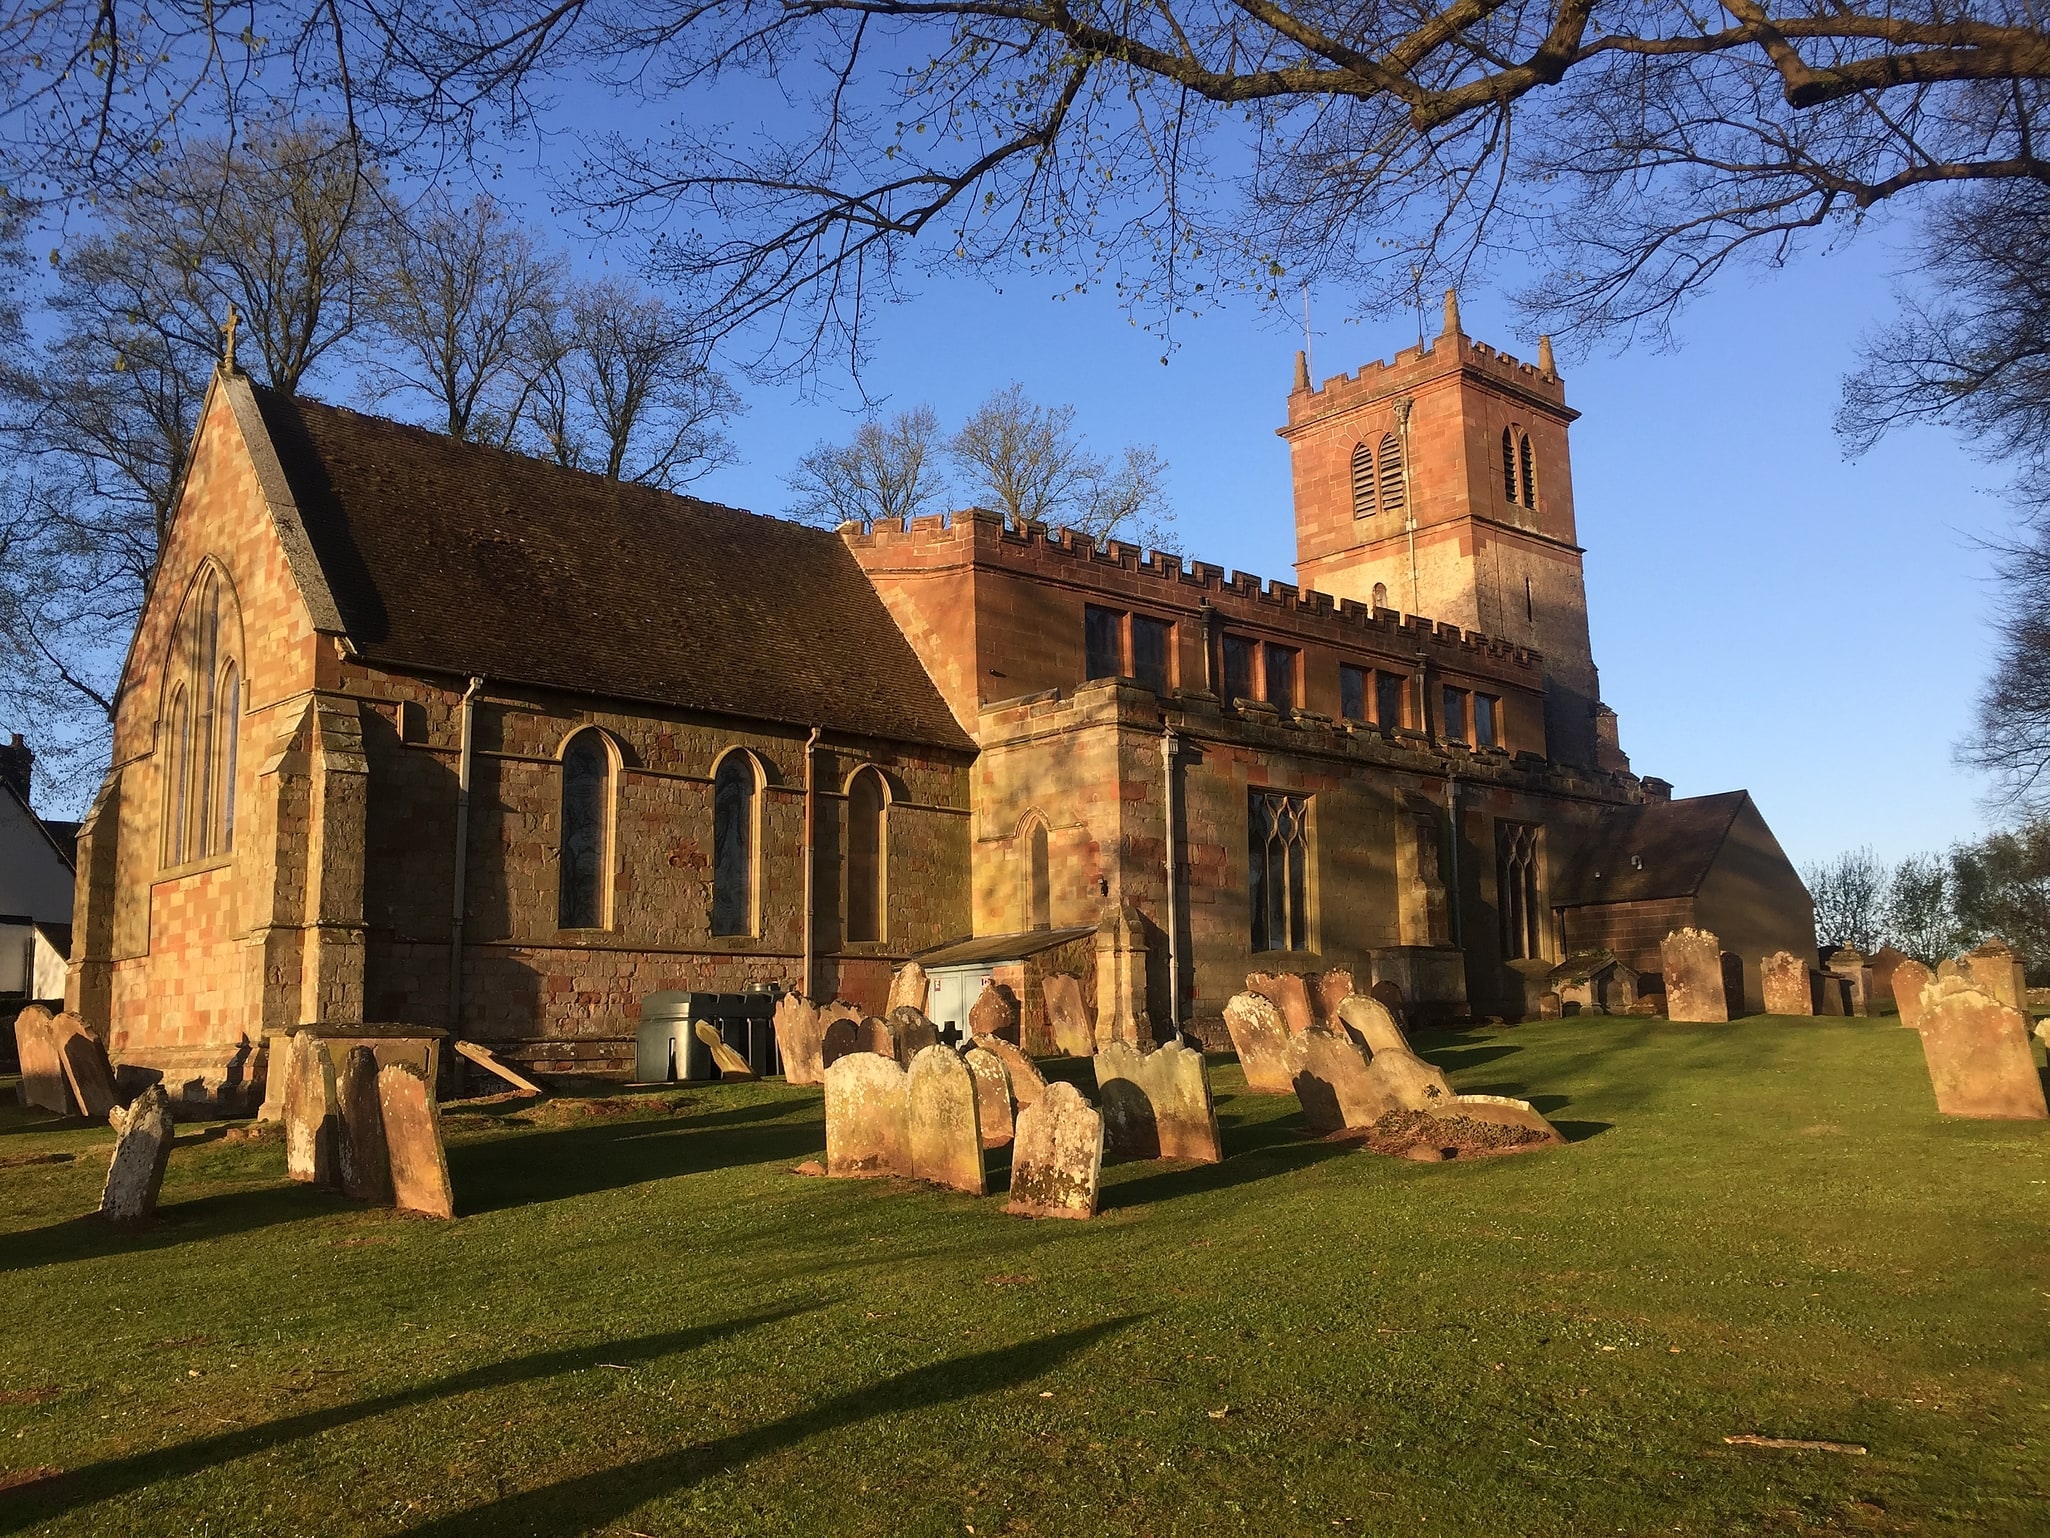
(460, 296)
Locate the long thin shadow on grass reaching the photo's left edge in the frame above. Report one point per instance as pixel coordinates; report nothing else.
(50, 1498)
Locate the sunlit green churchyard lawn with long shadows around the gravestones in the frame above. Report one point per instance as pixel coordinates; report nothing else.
(649, 1326)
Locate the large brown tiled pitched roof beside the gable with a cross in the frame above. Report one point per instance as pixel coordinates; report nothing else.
(462, 559)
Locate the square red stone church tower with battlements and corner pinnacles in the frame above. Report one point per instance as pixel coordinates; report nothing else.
(1440, 485)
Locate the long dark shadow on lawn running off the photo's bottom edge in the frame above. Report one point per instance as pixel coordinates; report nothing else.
(600, 1500)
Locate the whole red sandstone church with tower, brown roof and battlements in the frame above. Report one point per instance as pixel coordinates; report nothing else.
(425, 731)
